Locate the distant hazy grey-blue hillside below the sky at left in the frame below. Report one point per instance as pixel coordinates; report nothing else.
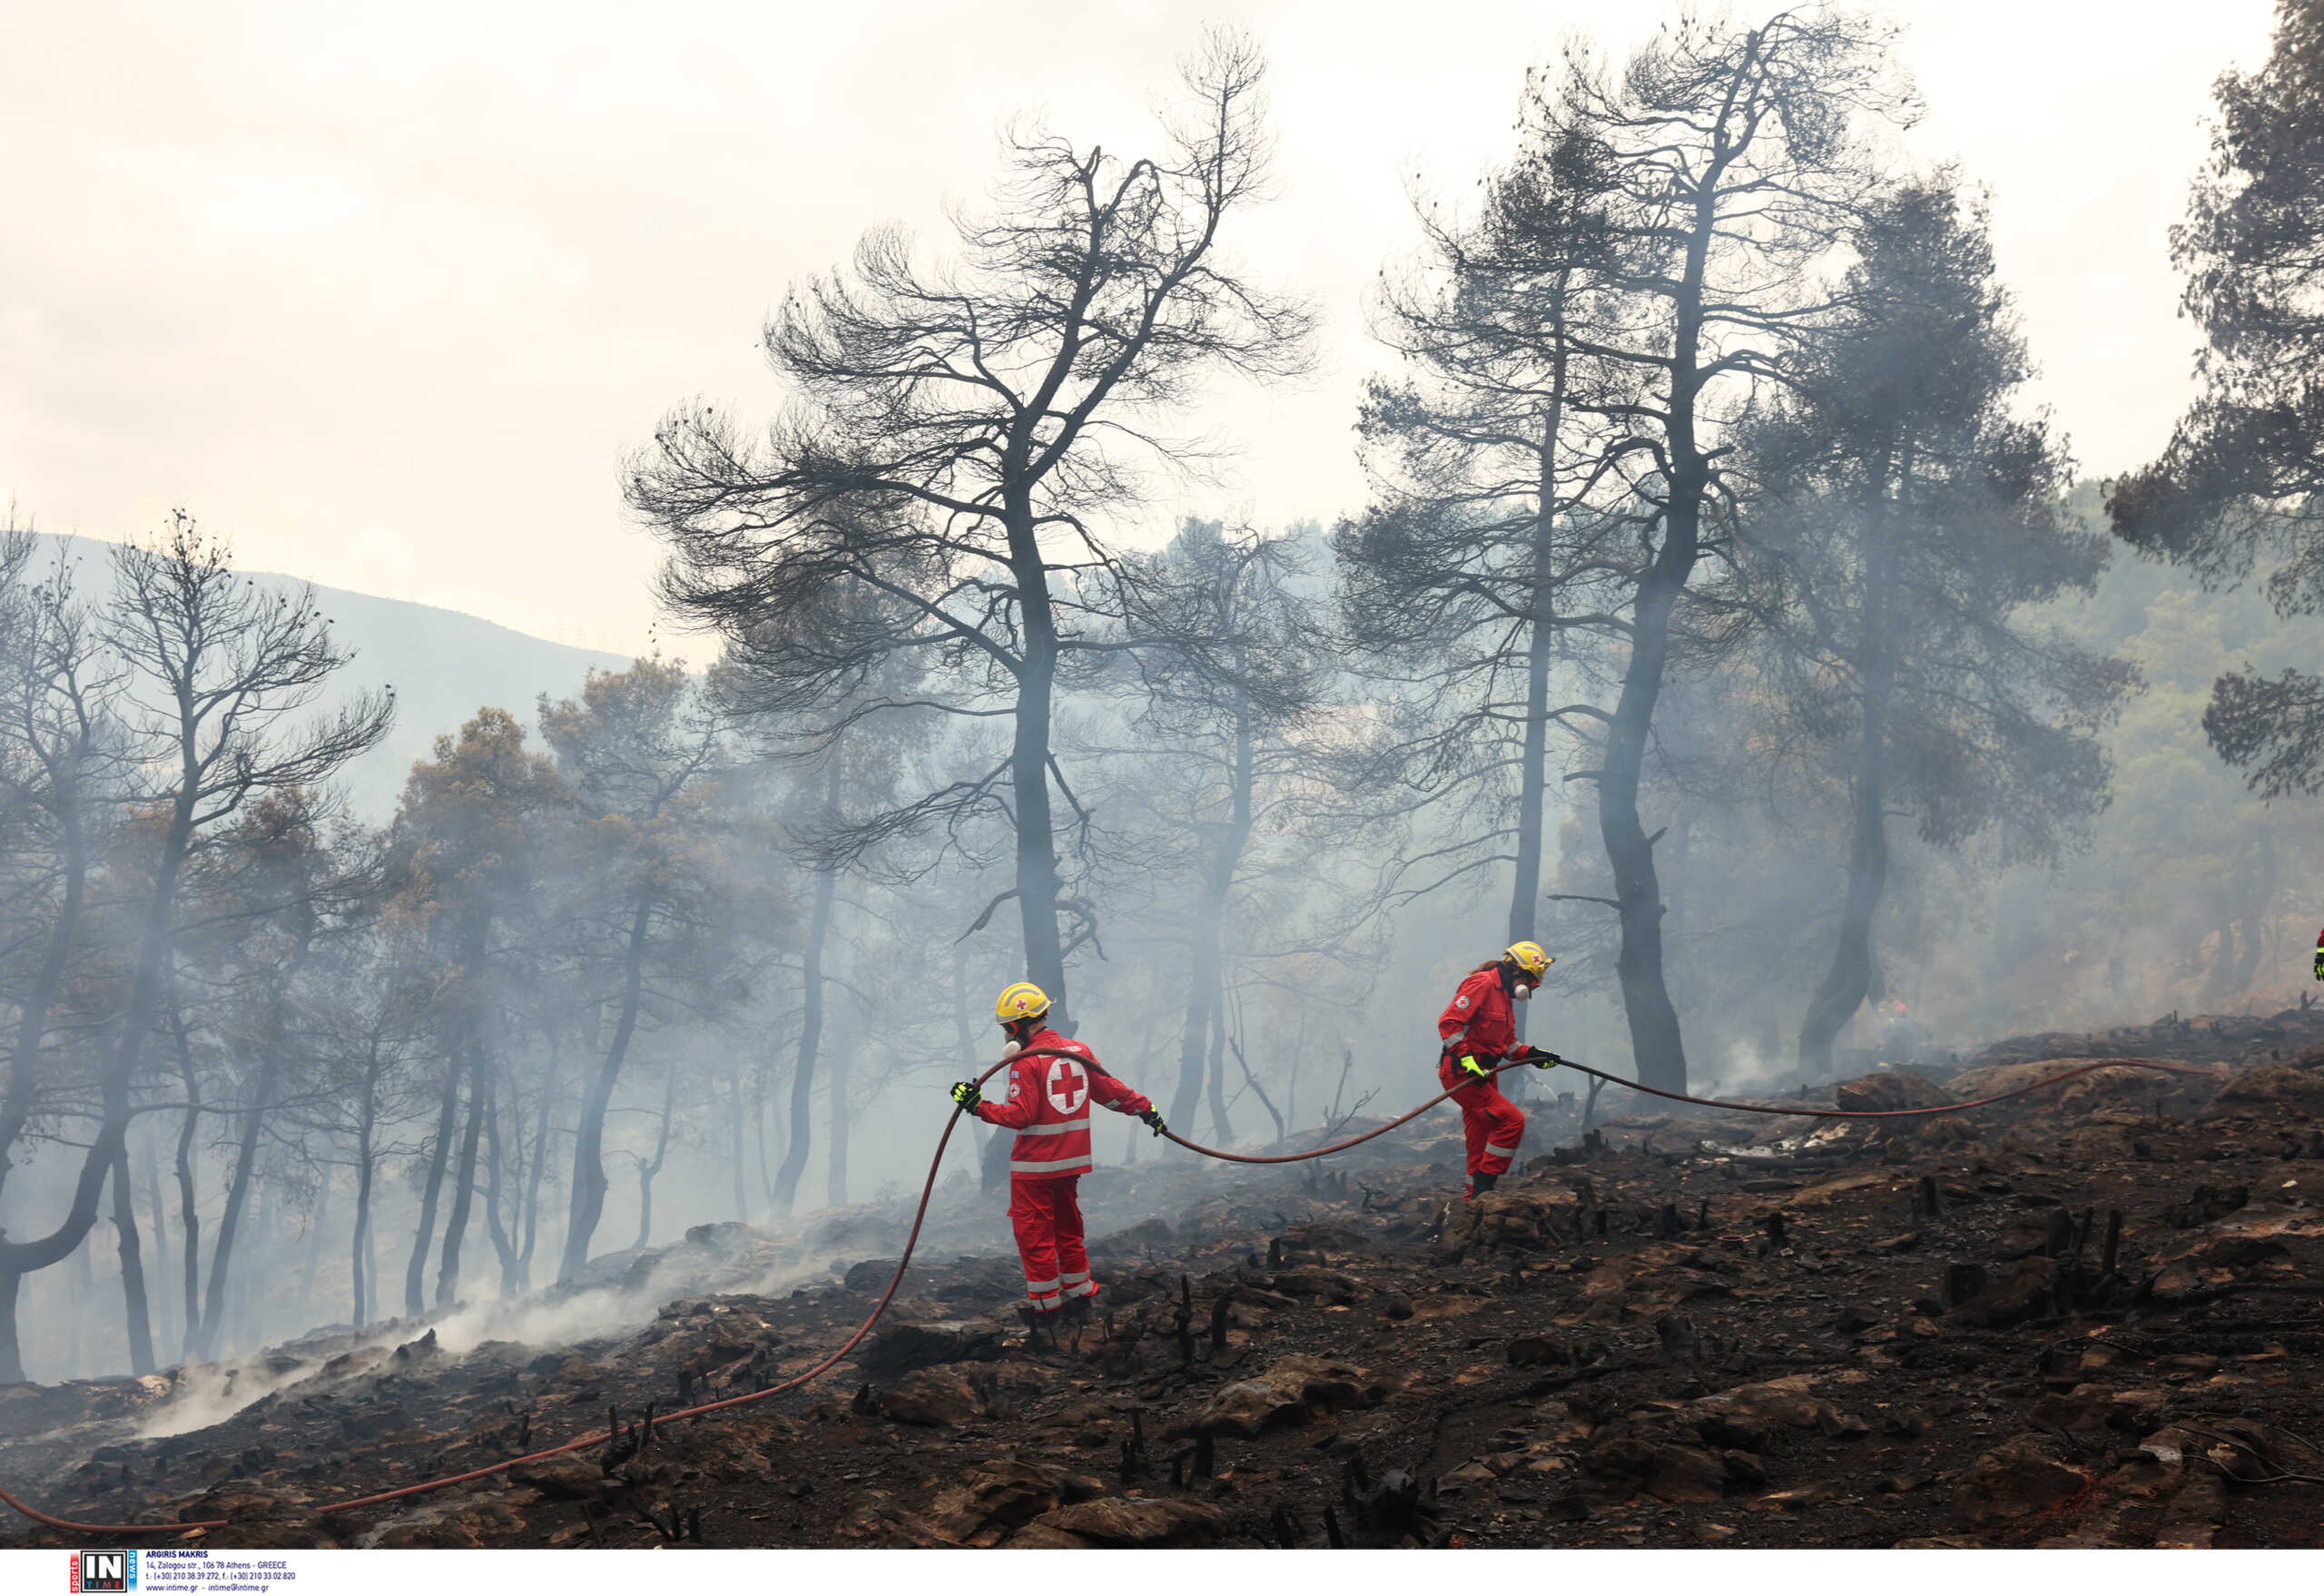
(443, 666)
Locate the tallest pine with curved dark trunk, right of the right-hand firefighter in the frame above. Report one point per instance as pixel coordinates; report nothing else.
(1730, 164)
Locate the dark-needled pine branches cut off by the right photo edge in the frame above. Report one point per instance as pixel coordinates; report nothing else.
(2244, 475)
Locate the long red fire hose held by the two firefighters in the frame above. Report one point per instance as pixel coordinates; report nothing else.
(919, 1216)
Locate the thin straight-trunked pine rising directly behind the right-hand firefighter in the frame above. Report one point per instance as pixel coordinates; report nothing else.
(1475, 561)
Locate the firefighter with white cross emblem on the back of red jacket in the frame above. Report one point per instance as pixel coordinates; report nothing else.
(1049, 1109)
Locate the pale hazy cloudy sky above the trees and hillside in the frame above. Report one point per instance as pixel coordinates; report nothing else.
(389, 289)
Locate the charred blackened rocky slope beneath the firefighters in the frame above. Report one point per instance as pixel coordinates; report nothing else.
(2086, 1318)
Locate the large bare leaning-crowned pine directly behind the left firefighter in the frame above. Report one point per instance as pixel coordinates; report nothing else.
(959, 431)
